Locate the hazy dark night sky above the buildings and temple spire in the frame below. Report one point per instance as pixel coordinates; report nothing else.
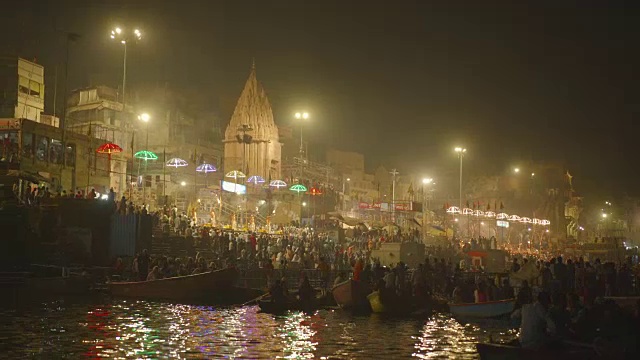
(401, 81)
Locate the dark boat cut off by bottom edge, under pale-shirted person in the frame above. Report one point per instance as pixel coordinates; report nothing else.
(505, 352)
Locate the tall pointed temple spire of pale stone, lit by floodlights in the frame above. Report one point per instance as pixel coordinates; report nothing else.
(251, 142)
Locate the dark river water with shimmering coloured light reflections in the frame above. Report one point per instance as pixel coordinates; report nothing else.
(140, 329)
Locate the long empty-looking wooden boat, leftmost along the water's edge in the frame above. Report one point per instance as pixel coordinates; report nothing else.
(195, 287)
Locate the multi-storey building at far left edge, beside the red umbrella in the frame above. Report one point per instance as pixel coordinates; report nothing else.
(32, 143)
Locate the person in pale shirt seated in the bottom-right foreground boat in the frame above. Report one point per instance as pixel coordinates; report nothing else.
(536, 325)
